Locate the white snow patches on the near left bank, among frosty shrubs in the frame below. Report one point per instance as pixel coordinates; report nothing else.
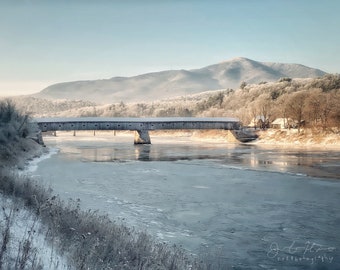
(26, 232)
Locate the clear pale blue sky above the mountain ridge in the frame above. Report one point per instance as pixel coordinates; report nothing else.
(48, 41)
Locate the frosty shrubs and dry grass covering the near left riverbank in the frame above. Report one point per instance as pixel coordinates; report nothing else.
(86, 239)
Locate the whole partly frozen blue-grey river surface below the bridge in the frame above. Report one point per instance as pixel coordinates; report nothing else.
(245, 206)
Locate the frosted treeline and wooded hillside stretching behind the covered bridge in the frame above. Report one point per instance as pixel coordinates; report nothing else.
(311, 102)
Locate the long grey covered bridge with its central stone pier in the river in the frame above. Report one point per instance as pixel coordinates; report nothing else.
(140, 125)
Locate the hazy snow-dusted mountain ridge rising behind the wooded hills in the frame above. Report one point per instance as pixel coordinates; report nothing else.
(166, 84)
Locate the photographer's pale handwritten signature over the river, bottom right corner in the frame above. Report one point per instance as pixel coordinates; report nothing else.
(310, 251)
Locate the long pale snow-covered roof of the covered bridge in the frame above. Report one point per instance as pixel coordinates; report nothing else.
(134, 120)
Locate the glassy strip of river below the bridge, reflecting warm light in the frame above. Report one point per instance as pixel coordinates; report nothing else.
(305, 162)
